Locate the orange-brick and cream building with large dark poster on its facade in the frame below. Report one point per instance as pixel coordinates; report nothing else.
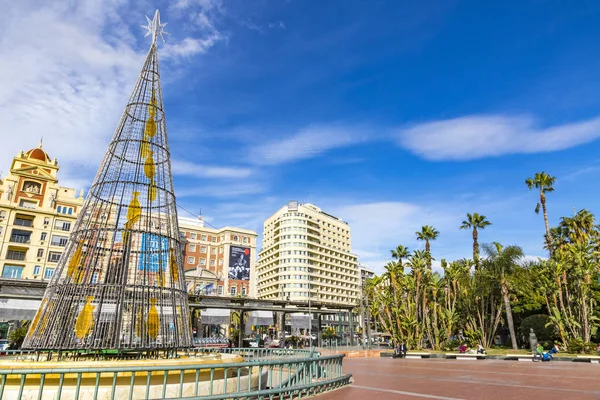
(218, 262)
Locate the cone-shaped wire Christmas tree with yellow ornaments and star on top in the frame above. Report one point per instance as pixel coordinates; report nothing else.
(119, 283)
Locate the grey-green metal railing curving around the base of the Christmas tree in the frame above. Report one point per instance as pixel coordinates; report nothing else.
(266, 373)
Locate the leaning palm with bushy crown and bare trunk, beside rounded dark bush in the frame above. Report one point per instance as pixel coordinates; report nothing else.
(503, 262)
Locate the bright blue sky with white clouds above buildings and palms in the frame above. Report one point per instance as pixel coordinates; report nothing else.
(389, 114)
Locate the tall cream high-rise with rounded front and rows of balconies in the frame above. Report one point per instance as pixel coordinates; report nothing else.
(307, 254)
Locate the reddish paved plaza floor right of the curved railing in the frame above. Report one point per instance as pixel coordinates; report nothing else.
(387, 378)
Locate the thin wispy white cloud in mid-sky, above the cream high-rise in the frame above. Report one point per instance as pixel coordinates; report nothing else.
(308, 142)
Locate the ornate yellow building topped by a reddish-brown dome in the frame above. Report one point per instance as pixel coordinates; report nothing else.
(36, 216)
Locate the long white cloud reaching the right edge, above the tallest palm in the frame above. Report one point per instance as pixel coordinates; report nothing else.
(480, 136)
